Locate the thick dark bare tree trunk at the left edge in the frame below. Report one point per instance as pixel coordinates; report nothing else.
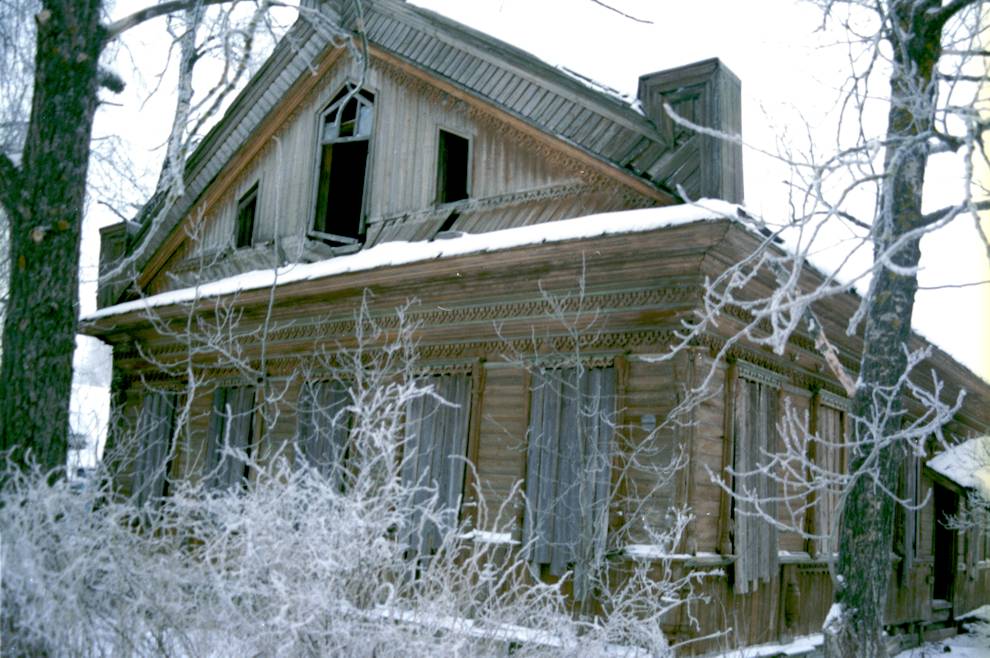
(44, 198)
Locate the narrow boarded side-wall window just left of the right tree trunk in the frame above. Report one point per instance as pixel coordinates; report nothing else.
(829, 456)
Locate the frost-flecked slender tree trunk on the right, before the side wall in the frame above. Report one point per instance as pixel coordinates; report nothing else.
(866, 527)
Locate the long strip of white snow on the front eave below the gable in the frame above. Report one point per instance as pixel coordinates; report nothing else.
(392, 254)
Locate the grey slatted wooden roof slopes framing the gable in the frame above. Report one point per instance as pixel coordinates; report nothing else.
(555, 102)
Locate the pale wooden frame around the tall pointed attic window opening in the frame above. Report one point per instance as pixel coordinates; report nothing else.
(343, 243)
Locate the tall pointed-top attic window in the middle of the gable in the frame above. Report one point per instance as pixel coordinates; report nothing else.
(345, 135)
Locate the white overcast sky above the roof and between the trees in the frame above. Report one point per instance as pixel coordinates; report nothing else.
(788, 71)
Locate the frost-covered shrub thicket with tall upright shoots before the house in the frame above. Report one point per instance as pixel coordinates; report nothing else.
(299, 563)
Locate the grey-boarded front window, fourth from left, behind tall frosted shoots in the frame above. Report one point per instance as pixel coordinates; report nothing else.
(434, 458)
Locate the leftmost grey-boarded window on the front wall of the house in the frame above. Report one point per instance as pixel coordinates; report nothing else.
(156, 425)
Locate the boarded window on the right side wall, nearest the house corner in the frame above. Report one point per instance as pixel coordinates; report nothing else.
(754, 540)
